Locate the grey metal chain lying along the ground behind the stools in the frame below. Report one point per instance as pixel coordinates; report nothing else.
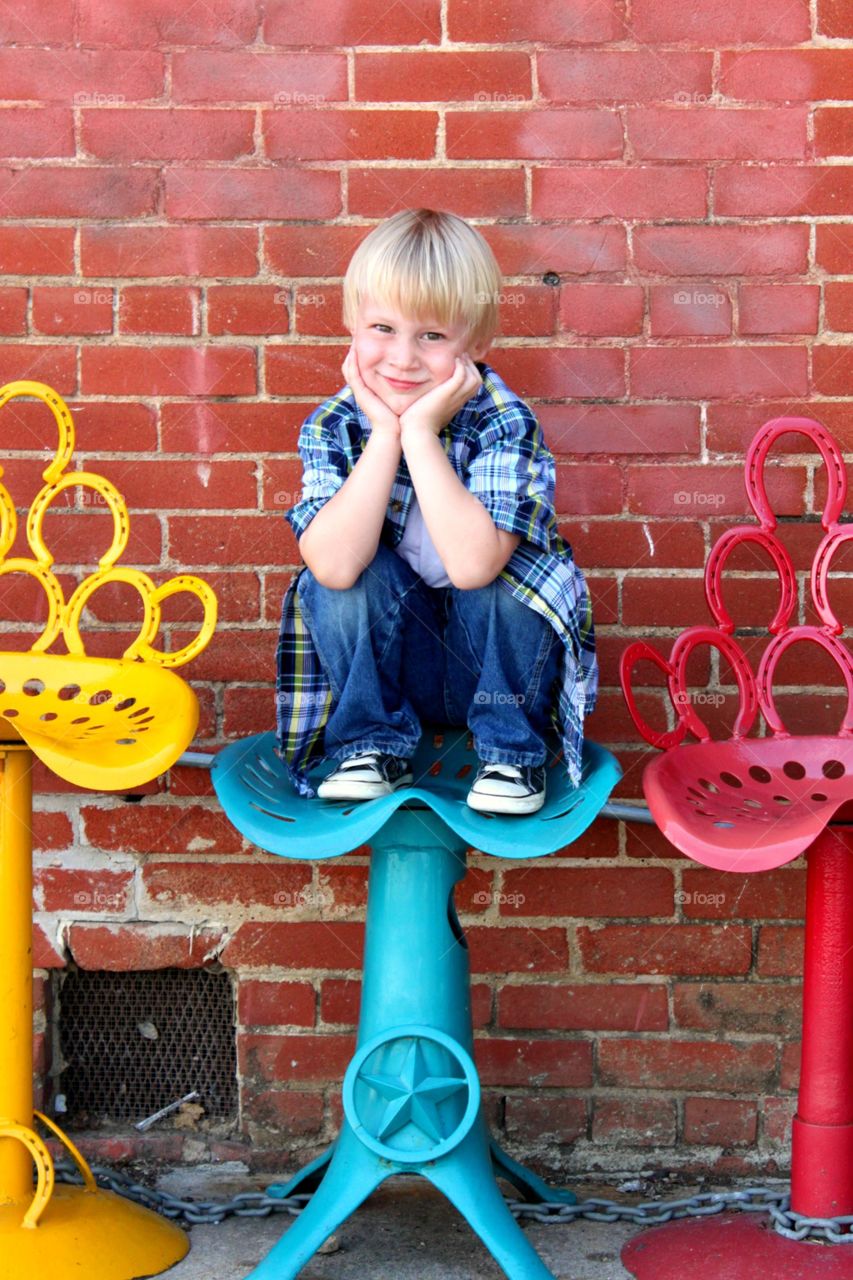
(754, 1200)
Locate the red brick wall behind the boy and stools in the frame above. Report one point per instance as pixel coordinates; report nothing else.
(667, 189)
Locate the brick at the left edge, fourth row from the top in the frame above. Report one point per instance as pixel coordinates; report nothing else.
(62, 191)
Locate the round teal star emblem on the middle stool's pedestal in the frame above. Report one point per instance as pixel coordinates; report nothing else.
(412, 1092)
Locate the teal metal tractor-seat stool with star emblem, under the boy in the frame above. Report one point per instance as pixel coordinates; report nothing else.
(412, 1095)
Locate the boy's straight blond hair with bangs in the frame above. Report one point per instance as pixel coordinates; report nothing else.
(427, 263)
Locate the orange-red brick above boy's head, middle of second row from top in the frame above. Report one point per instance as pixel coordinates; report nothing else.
(451, 77)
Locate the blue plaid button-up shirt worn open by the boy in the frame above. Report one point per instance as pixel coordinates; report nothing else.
(496, 447)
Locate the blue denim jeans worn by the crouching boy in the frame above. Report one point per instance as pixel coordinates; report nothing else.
(399, 653)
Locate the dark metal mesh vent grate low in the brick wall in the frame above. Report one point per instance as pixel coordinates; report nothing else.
(134, 1043)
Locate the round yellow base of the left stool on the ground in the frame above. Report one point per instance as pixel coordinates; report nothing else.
(89, 1236)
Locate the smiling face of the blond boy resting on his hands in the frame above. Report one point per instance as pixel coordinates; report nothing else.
(402, 358)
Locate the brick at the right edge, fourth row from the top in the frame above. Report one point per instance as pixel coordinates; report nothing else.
(784, 191)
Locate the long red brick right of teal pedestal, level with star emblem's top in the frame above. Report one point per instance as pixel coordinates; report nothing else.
(640, 1007)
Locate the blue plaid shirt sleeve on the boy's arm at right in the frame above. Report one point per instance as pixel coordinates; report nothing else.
(513, 474)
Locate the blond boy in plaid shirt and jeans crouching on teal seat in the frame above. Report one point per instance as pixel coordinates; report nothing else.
(437, 589)
